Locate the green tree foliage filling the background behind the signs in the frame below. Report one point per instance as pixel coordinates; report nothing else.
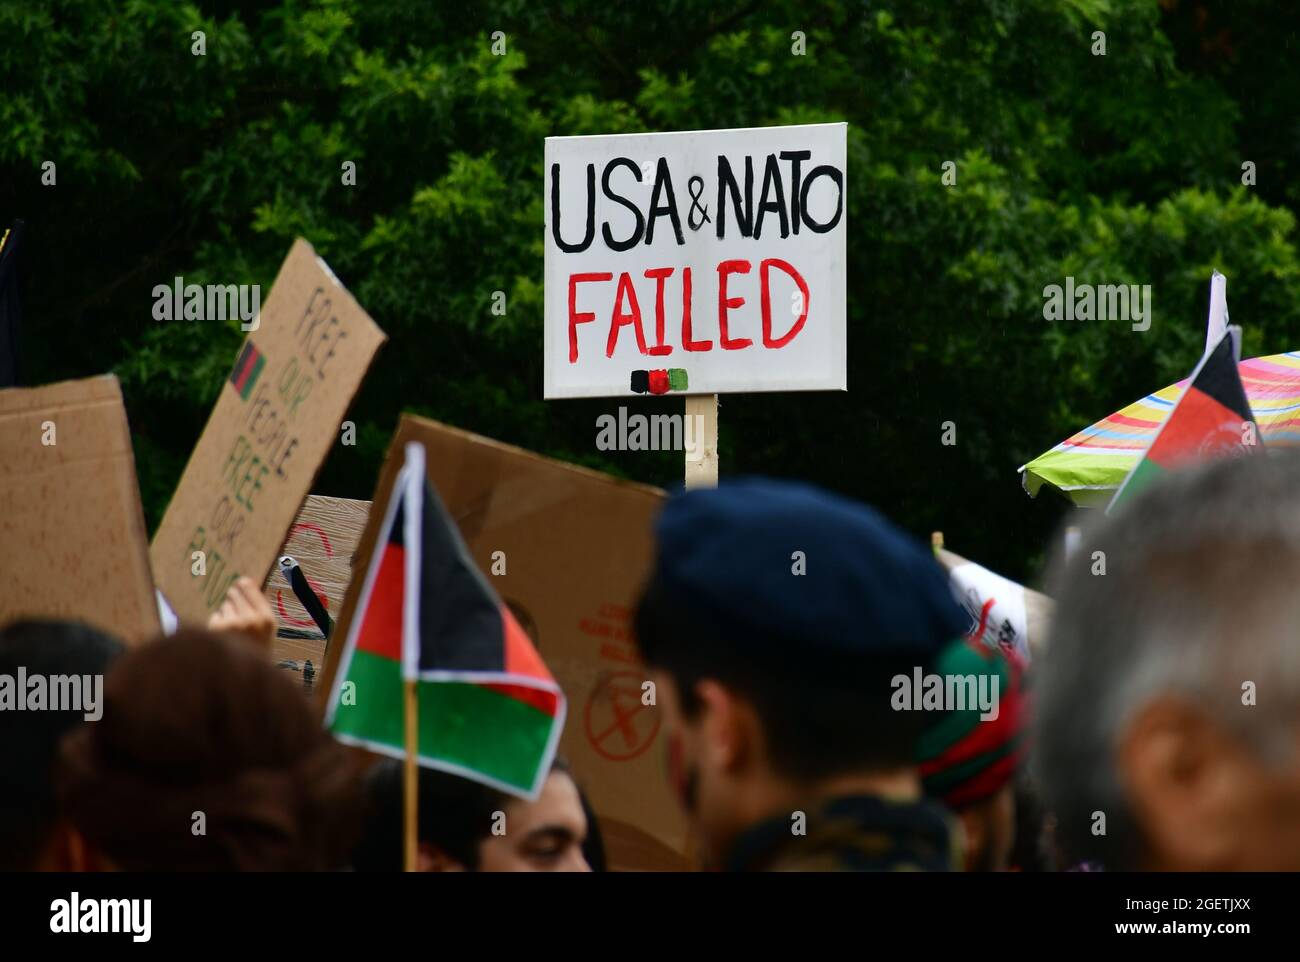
(1117, 168)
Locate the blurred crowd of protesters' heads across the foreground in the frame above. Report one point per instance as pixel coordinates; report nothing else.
(824, 701)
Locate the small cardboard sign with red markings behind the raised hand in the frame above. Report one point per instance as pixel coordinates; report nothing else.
(323, 540)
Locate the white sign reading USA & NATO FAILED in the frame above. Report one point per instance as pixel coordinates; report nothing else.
(703, 262)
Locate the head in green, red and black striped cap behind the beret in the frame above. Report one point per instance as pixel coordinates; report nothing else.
(970, 753)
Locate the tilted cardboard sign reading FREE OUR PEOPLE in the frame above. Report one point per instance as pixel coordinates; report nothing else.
(278, 418)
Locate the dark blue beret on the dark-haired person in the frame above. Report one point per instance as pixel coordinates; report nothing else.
(866, 590)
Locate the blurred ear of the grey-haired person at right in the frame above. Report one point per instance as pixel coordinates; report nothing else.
(1184, 779)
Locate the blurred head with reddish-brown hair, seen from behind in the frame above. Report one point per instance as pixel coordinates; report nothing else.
(207, 759)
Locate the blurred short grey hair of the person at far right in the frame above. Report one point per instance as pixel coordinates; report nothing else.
(1199, 596)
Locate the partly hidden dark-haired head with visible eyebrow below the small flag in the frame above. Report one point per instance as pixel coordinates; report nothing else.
(467, 826)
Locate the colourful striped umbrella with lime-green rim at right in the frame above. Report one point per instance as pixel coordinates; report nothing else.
(1090, 466)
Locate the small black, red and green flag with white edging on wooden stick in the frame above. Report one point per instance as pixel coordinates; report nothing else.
(489, 709)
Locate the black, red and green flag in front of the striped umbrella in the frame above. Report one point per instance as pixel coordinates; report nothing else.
(1212, 419)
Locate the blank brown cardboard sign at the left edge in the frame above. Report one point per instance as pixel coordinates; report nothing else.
(72, 528)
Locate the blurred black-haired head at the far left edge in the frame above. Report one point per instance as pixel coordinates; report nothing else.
(67, 657)
